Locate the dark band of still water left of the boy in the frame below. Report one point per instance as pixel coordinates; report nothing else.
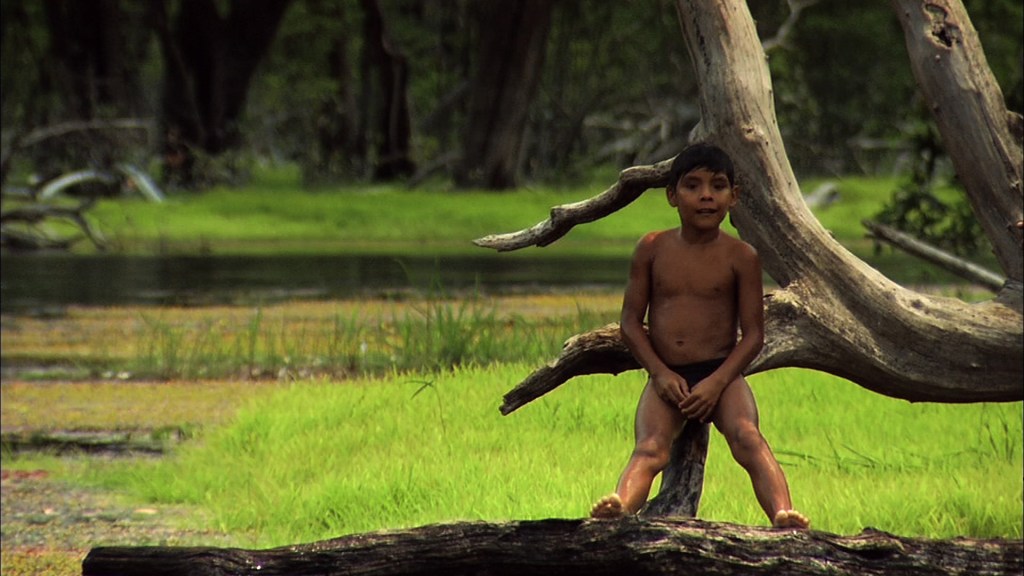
(39, 282)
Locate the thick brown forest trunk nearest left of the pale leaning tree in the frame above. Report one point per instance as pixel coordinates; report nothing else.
(513, 39)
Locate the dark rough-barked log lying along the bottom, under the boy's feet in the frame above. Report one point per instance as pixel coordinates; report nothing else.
(583, 548)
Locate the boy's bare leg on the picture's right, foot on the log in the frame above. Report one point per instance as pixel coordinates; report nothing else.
(737, 418)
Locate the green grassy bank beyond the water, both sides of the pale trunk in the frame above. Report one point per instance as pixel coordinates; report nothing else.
(275, 216)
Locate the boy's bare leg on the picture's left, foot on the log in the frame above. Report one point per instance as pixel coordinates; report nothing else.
(656, 428)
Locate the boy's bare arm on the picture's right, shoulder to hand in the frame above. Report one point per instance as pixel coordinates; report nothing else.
(750, 292)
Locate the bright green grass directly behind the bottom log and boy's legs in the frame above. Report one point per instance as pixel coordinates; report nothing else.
(323, 459)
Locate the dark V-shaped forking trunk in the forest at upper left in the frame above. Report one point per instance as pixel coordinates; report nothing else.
(209, 62)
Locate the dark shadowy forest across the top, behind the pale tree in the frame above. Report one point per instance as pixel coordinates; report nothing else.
(485, 95)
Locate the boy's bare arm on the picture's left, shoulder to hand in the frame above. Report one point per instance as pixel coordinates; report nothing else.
(671, 387)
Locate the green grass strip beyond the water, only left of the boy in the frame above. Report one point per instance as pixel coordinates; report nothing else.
(275, 215)
